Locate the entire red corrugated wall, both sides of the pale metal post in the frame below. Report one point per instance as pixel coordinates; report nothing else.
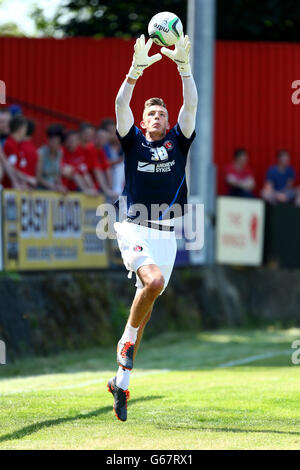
(80, 77)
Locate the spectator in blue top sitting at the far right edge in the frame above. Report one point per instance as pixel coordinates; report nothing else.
(279, 184)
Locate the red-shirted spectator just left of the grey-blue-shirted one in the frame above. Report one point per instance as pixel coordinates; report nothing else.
(29, 154)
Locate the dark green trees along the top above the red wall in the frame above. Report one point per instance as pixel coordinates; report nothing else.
(259, 20)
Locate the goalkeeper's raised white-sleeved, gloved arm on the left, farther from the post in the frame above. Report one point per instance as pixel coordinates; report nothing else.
(141, 61)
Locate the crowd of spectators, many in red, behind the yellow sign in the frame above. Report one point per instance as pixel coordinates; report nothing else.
(88, 159)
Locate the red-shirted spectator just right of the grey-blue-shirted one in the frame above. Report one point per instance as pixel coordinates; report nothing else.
(74, 166)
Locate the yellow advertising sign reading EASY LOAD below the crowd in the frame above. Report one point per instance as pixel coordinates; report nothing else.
(46, 230)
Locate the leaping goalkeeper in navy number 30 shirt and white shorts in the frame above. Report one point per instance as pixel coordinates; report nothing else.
(154, 176)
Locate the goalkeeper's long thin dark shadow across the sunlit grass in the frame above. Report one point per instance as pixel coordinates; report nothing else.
(32, 428)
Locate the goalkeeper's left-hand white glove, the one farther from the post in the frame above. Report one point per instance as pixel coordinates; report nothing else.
(141, 60)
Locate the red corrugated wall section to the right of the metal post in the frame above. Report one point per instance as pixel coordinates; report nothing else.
(253, 107)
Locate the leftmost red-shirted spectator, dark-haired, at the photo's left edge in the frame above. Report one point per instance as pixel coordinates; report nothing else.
(16, 159)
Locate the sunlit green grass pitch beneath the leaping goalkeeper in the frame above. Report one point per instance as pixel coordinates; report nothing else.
(182, 396)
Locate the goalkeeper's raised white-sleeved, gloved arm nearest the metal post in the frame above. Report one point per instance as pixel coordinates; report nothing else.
(187, 113)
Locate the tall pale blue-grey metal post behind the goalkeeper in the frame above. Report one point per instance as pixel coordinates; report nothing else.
(201, 30)
